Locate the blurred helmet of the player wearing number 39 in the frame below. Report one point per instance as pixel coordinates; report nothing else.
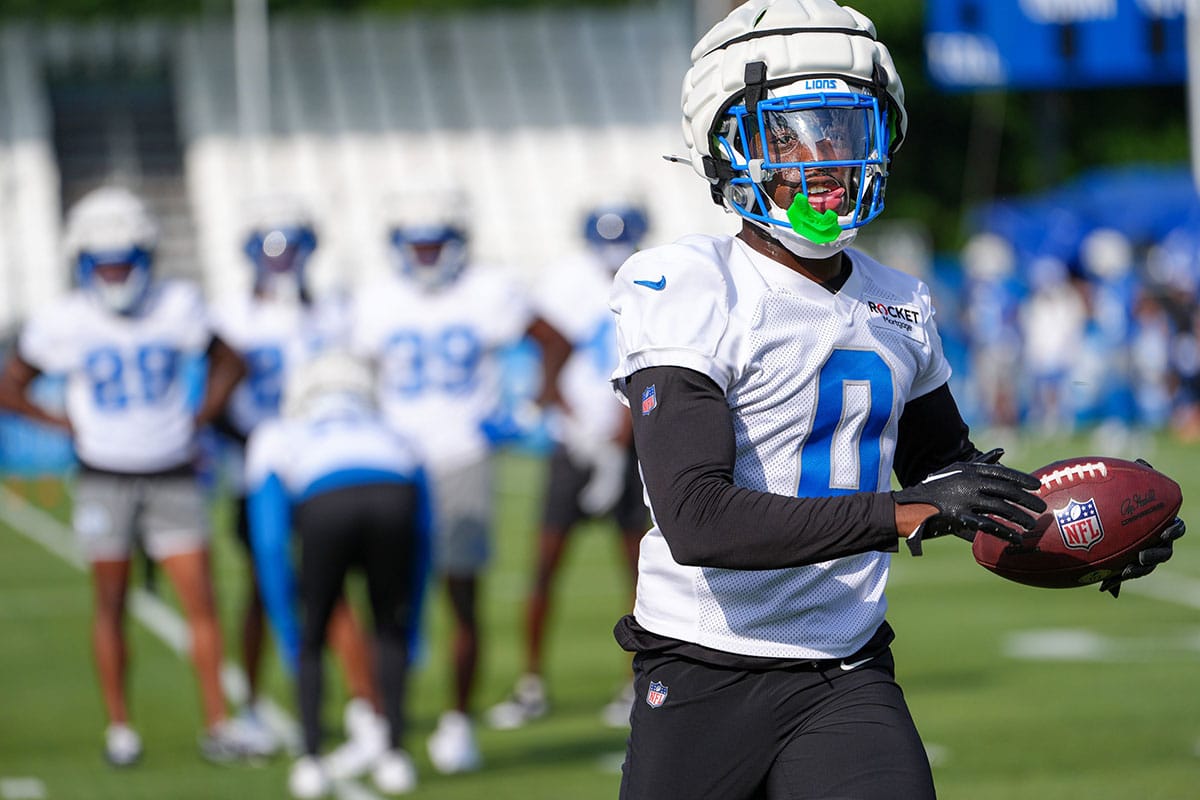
(428, 234)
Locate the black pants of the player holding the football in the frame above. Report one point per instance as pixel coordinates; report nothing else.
(701, 731)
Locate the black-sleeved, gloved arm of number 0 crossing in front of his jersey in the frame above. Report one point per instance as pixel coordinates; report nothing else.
(687, 450)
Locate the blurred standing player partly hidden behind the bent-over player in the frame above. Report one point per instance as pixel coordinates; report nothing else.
(275, 328)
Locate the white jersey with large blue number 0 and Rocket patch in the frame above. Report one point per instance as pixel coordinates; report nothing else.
(817, 383)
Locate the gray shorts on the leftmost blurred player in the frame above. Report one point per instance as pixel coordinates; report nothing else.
(165, 513)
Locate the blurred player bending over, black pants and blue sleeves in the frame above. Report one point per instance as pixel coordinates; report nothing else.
(355, 492)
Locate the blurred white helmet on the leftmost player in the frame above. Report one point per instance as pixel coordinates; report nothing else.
(110, 239)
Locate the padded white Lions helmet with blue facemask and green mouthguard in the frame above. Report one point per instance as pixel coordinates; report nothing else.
(795, 100)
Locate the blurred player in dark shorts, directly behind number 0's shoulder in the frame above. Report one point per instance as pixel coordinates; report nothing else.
(593, 470)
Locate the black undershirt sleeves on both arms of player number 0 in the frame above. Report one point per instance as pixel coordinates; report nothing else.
(687, 452)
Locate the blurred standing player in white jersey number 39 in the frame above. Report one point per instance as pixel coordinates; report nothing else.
(436, 328)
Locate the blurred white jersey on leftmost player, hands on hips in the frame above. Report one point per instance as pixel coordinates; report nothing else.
(128, 395)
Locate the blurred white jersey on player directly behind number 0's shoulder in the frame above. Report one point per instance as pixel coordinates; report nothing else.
(574, 298)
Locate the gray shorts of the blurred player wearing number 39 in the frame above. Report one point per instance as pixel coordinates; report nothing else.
(463, 519)
